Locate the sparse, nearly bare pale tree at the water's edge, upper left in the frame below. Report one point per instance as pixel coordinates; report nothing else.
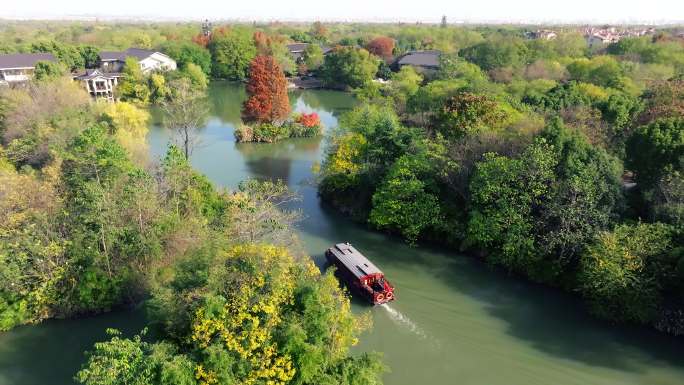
(184, 112)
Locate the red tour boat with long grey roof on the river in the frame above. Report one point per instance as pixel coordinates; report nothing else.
(360, 274)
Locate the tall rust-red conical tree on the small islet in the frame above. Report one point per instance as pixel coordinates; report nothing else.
(267, 90)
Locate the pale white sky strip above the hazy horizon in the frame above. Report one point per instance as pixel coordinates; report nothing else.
(605, 11)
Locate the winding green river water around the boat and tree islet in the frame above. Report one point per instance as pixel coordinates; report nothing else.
(455, 321)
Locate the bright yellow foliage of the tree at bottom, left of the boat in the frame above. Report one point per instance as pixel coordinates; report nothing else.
(257, 283)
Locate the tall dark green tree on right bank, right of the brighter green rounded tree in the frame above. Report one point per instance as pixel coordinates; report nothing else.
(585, 199)
